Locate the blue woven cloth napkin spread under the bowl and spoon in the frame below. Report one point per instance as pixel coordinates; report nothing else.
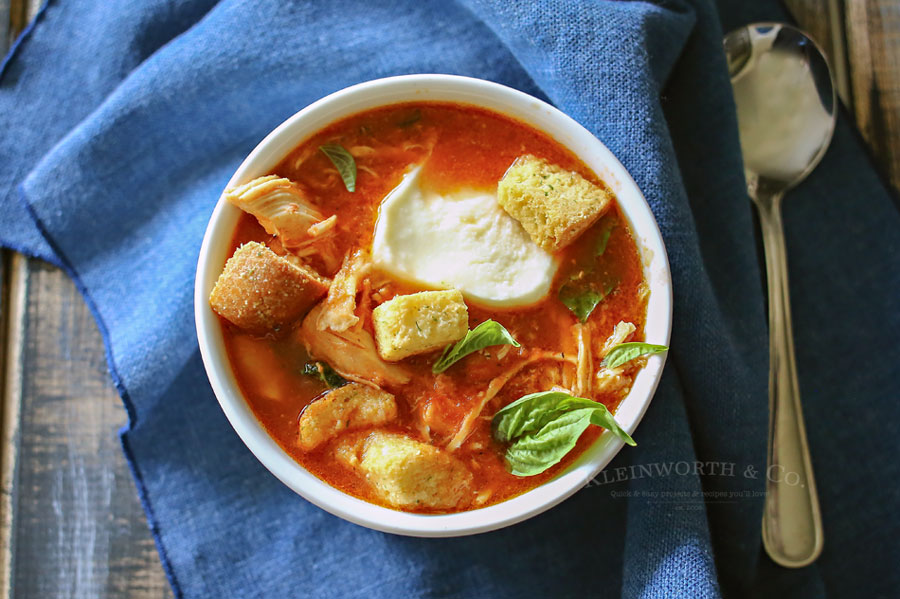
(122, 123)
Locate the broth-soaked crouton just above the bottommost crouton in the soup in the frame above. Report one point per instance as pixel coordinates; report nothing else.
(346, 408)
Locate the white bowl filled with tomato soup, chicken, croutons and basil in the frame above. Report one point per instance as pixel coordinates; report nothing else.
(433, 305)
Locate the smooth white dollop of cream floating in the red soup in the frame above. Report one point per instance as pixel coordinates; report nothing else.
(461, 240)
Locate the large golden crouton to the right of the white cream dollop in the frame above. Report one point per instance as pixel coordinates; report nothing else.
(553, 205)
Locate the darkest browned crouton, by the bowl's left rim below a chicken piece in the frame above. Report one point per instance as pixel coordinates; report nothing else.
(261, 291)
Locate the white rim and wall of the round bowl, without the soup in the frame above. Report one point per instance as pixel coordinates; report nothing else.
(463, 90)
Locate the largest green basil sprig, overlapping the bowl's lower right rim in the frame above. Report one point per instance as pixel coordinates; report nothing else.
(540, 426)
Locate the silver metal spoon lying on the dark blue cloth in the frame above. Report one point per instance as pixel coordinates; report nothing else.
(786, 108)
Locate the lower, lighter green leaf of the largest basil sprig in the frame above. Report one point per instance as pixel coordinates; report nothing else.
(537, 451)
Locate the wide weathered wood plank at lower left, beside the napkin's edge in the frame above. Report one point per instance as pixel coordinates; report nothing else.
(79, 530)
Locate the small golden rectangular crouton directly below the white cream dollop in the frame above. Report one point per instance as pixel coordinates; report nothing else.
(419, 323)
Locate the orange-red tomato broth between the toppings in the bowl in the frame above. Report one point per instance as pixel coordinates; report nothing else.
(458, 146)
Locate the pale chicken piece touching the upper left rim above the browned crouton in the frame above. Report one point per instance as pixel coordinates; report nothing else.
(280, 206)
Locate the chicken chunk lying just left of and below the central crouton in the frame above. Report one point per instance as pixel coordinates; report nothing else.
(351, 353)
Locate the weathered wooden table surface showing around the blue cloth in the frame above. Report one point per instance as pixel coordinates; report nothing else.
(70, 521)
